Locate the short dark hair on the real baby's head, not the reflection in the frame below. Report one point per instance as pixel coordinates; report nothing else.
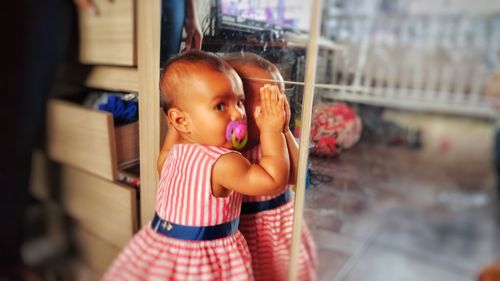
(182, 65)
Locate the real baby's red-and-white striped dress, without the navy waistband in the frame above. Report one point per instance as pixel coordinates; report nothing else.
(184, 197)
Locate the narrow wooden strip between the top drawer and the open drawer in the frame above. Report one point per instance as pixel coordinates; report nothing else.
(115, 78)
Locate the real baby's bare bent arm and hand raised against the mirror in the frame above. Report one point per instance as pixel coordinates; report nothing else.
(232, 171)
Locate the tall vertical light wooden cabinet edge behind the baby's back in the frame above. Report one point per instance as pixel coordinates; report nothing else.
(148, 46)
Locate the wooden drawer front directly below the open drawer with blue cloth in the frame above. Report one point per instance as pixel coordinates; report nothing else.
(105, 208)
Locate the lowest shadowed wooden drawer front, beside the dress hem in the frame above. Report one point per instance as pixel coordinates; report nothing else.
(97, 253)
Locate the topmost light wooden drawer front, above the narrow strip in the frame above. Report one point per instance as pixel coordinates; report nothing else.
(108, 37)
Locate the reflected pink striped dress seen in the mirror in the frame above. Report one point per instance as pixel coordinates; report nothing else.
(269, 237)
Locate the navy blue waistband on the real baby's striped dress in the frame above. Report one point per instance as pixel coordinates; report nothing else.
(185, 232)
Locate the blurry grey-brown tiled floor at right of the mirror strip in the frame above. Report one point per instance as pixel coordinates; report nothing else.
(391, 213)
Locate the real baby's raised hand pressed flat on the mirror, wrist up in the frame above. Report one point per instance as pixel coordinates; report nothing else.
(270, 116)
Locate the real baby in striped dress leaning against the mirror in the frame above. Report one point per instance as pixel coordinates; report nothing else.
(194, 234)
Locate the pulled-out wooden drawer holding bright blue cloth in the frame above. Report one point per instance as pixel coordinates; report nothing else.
(87, 139)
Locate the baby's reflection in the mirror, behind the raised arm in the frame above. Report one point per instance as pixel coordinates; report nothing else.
(266, 221)
